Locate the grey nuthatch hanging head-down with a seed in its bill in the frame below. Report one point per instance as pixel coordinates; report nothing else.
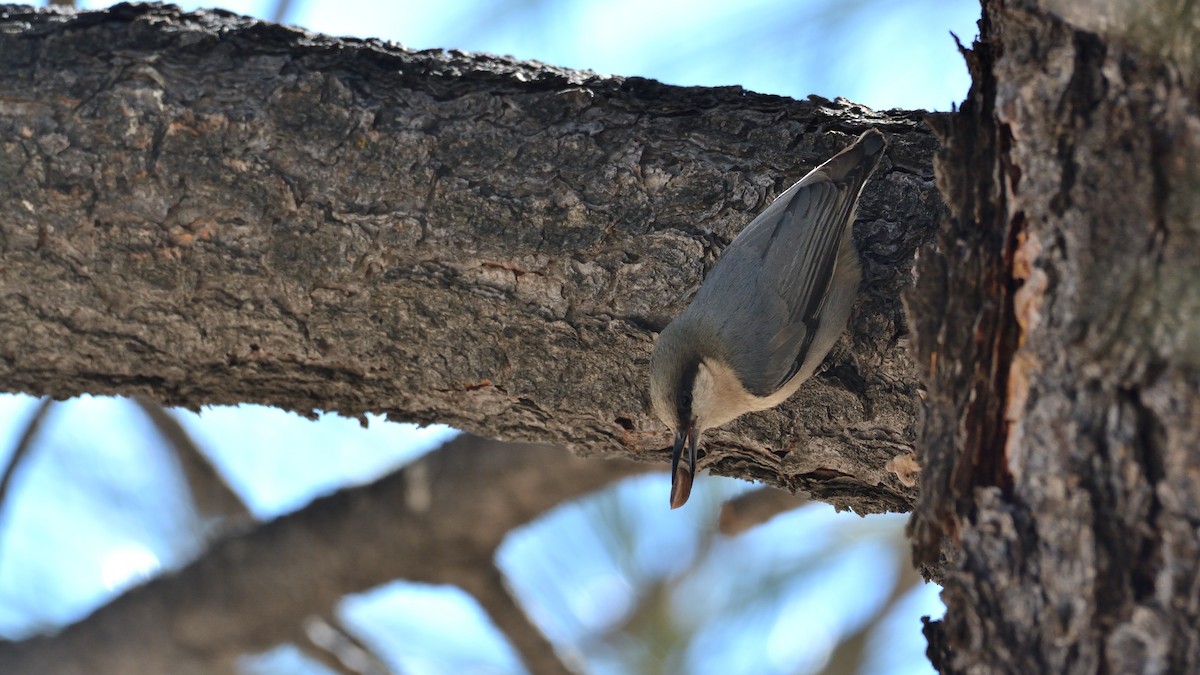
(767, 314)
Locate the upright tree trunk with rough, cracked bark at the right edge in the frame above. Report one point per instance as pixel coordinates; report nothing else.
(1058, 325)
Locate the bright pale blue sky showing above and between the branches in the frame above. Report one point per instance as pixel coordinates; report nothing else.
(98, 505)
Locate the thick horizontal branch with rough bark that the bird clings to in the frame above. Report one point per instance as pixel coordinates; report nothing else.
(207, 210)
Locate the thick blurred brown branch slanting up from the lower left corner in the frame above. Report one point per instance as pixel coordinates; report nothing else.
(254, 592)
